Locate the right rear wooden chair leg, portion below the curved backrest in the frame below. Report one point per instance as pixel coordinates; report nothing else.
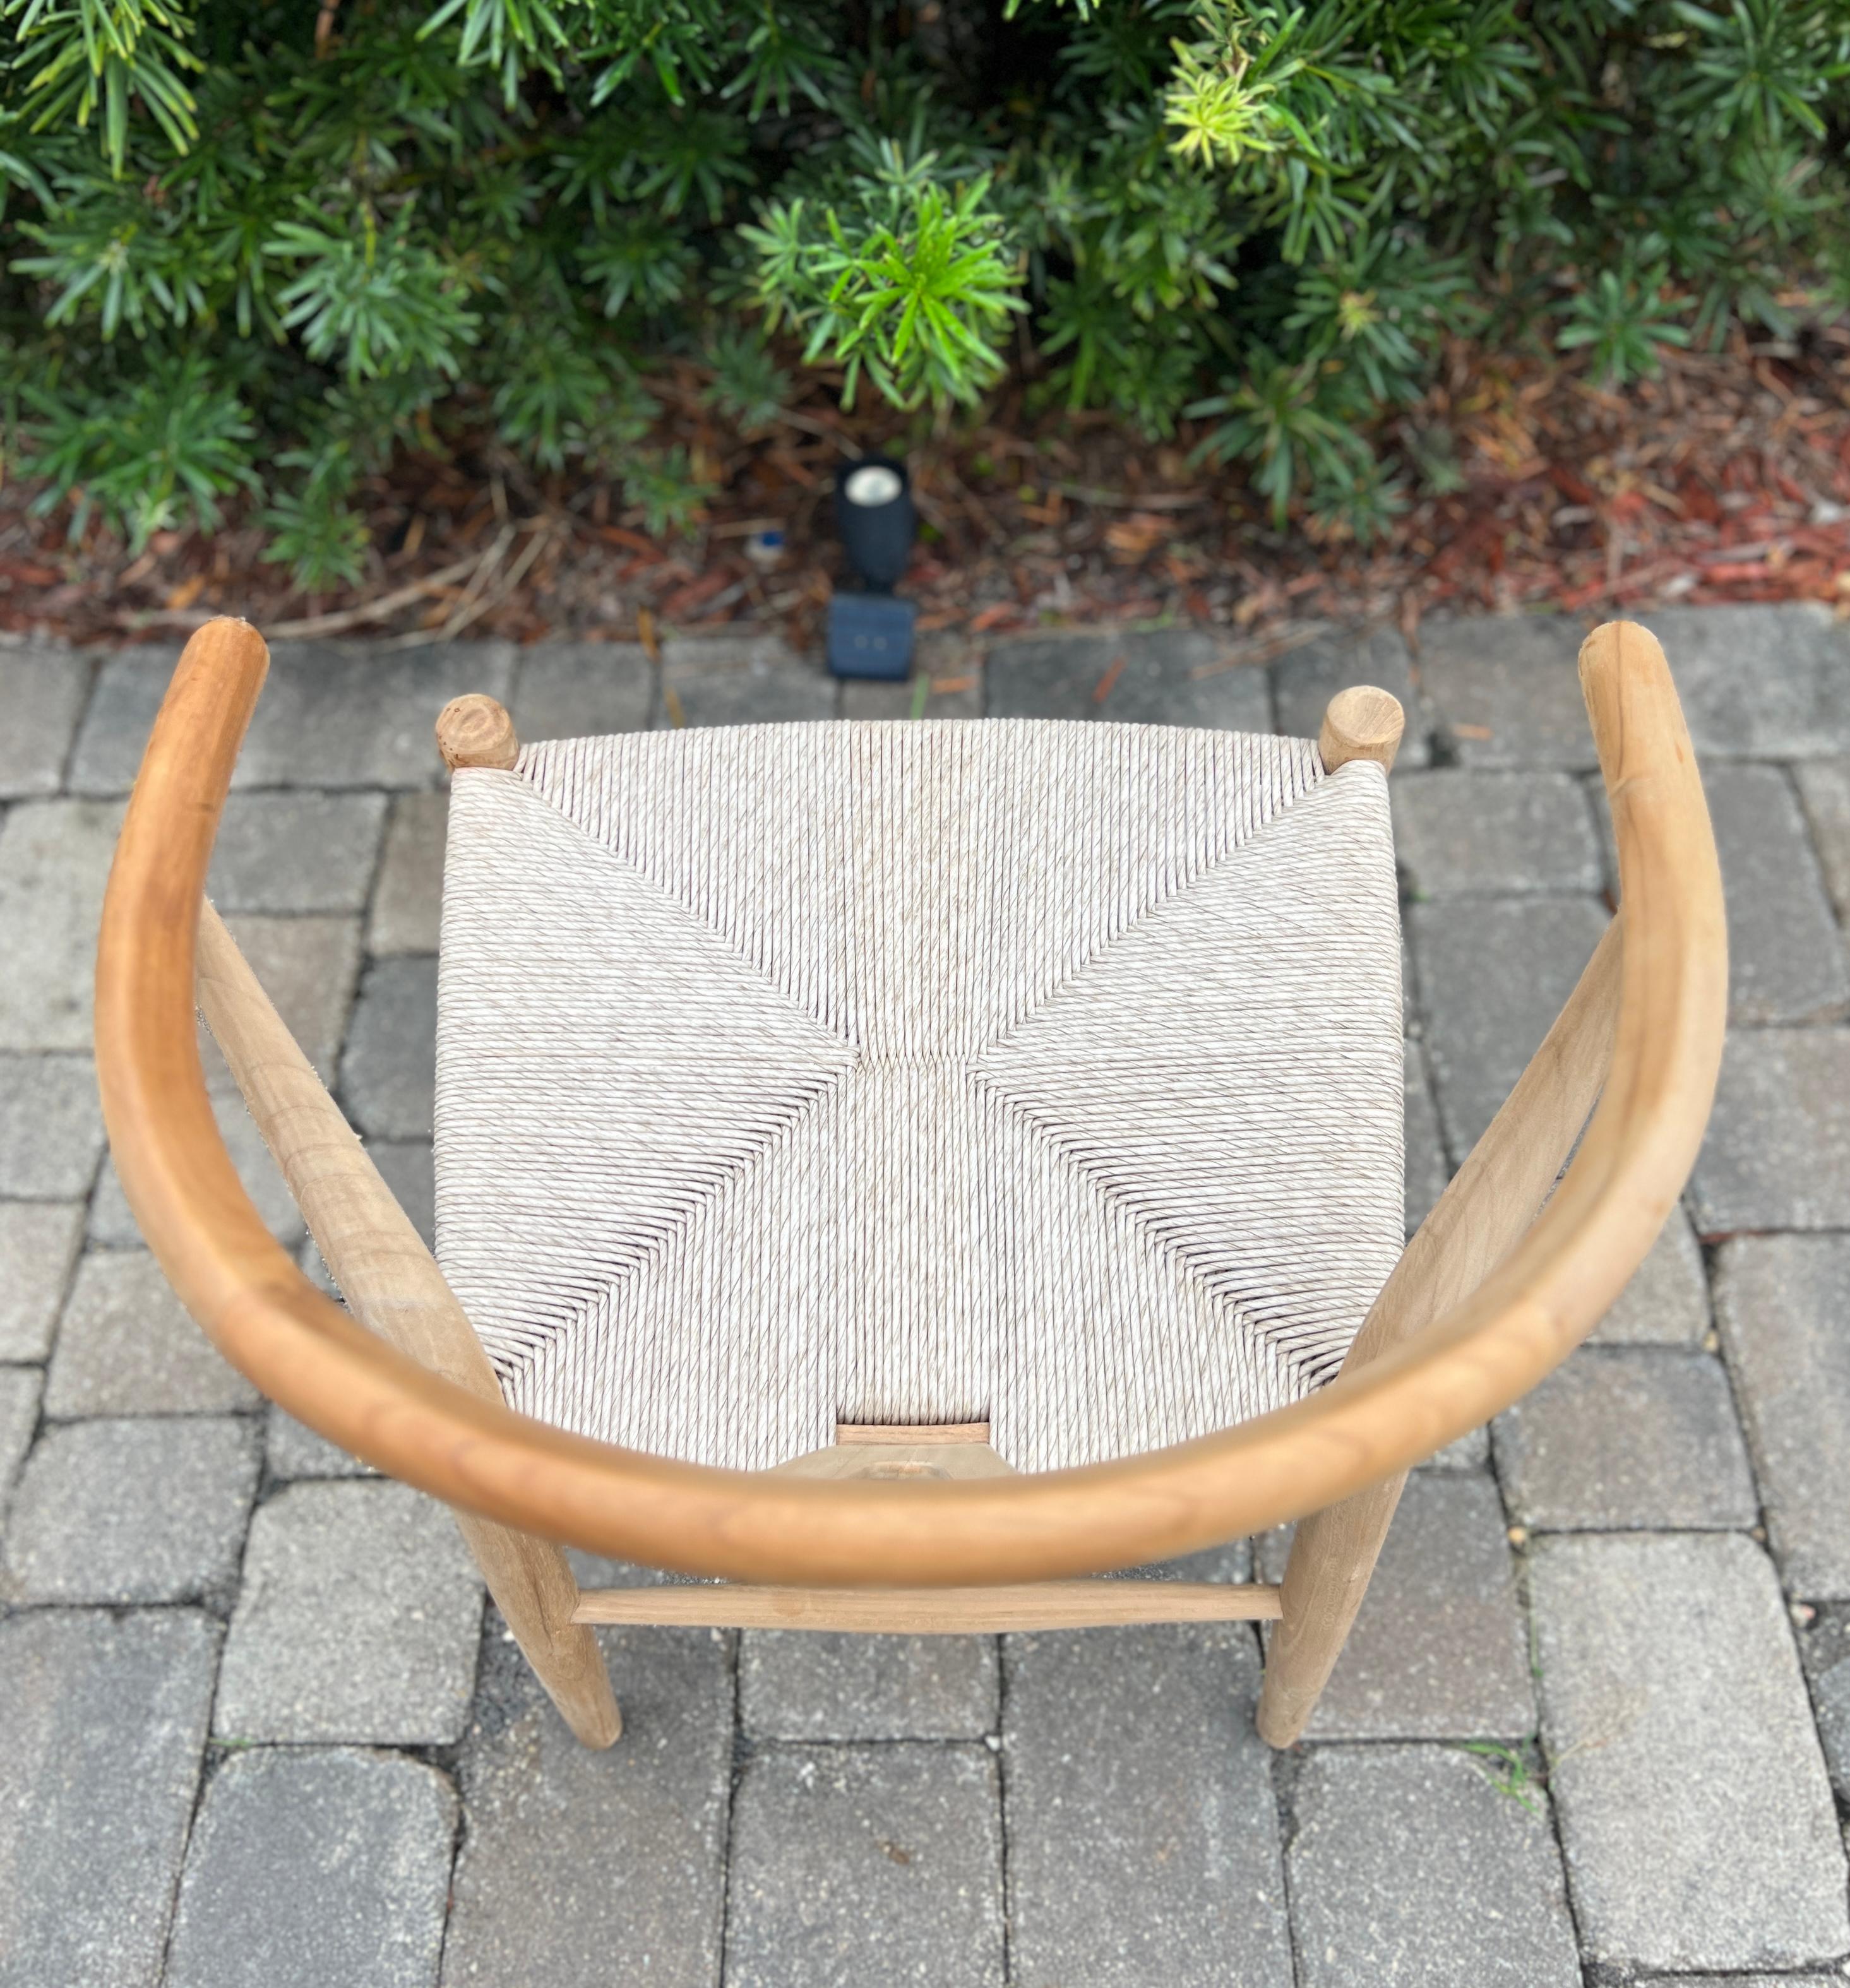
(1326, 1579)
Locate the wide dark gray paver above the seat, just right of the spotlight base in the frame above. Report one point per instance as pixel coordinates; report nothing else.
(1061, 677)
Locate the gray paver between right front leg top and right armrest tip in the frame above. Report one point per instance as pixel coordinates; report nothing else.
(1507, 689)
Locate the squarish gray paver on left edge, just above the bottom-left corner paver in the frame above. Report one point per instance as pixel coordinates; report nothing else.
(132, 1512)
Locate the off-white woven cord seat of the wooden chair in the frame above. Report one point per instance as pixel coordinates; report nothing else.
(1019, 1073)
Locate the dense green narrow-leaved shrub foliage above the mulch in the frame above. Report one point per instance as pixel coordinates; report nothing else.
(256, 248)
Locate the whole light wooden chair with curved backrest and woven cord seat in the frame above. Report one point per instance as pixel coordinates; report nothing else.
(898, 1170)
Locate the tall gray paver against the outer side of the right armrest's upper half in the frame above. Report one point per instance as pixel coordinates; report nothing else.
(1785, 951)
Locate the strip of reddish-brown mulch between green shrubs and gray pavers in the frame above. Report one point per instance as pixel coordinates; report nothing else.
(1728, 478)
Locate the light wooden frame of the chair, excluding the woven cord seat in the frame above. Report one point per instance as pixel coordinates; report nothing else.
(922, 1530)
